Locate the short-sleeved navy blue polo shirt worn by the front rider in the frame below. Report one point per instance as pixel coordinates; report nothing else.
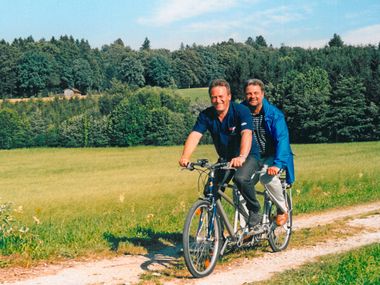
(226, 135)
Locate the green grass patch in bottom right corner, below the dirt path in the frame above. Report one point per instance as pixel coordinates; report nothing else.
(360, 266)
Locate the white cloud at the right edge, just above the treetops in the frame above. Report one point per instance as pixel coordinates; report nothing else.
(363, 36)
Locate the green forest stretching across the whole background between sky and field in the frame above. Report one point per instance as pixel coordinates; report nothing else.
(329, 94)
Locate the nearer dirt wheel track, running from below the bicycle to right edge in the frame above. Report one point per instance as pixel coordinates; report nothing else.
(264, 267)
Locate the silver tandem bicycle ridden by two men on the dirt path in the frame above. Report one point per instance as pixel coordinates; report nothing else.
(210, 229)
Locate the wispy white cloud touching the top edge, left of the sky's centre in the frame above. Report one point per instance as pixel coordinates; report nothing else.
(174, 10)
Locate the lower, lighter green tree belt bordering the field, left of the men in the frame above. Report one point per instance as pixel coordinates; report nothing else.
(147, 116)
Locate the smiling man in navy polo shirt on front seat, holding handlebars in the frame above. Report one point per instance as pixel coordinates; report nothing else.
(230, 125)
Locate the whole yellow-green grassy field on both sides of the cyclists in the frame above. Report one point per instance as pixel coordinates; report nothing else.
(85, 202)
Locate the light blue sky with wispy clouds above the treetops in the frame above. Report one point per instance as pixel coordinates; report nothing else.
(167, 23)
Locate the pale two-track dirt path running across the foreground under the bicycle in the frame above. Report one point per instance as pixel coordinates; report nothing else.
(126, 269)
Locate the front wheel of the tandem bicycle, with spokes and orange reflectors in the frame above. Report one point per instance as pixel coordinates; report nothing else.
(201, 239)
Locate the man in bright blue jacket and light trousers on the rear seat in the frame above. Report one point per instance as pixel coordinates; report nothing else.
(272, 136)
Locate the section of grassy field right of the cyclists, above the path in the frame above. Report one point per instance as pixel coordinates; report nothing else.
(330, 175)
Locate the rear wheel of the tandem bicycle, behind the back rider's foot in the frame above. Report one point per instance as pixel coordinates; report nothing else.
(279, 236)
